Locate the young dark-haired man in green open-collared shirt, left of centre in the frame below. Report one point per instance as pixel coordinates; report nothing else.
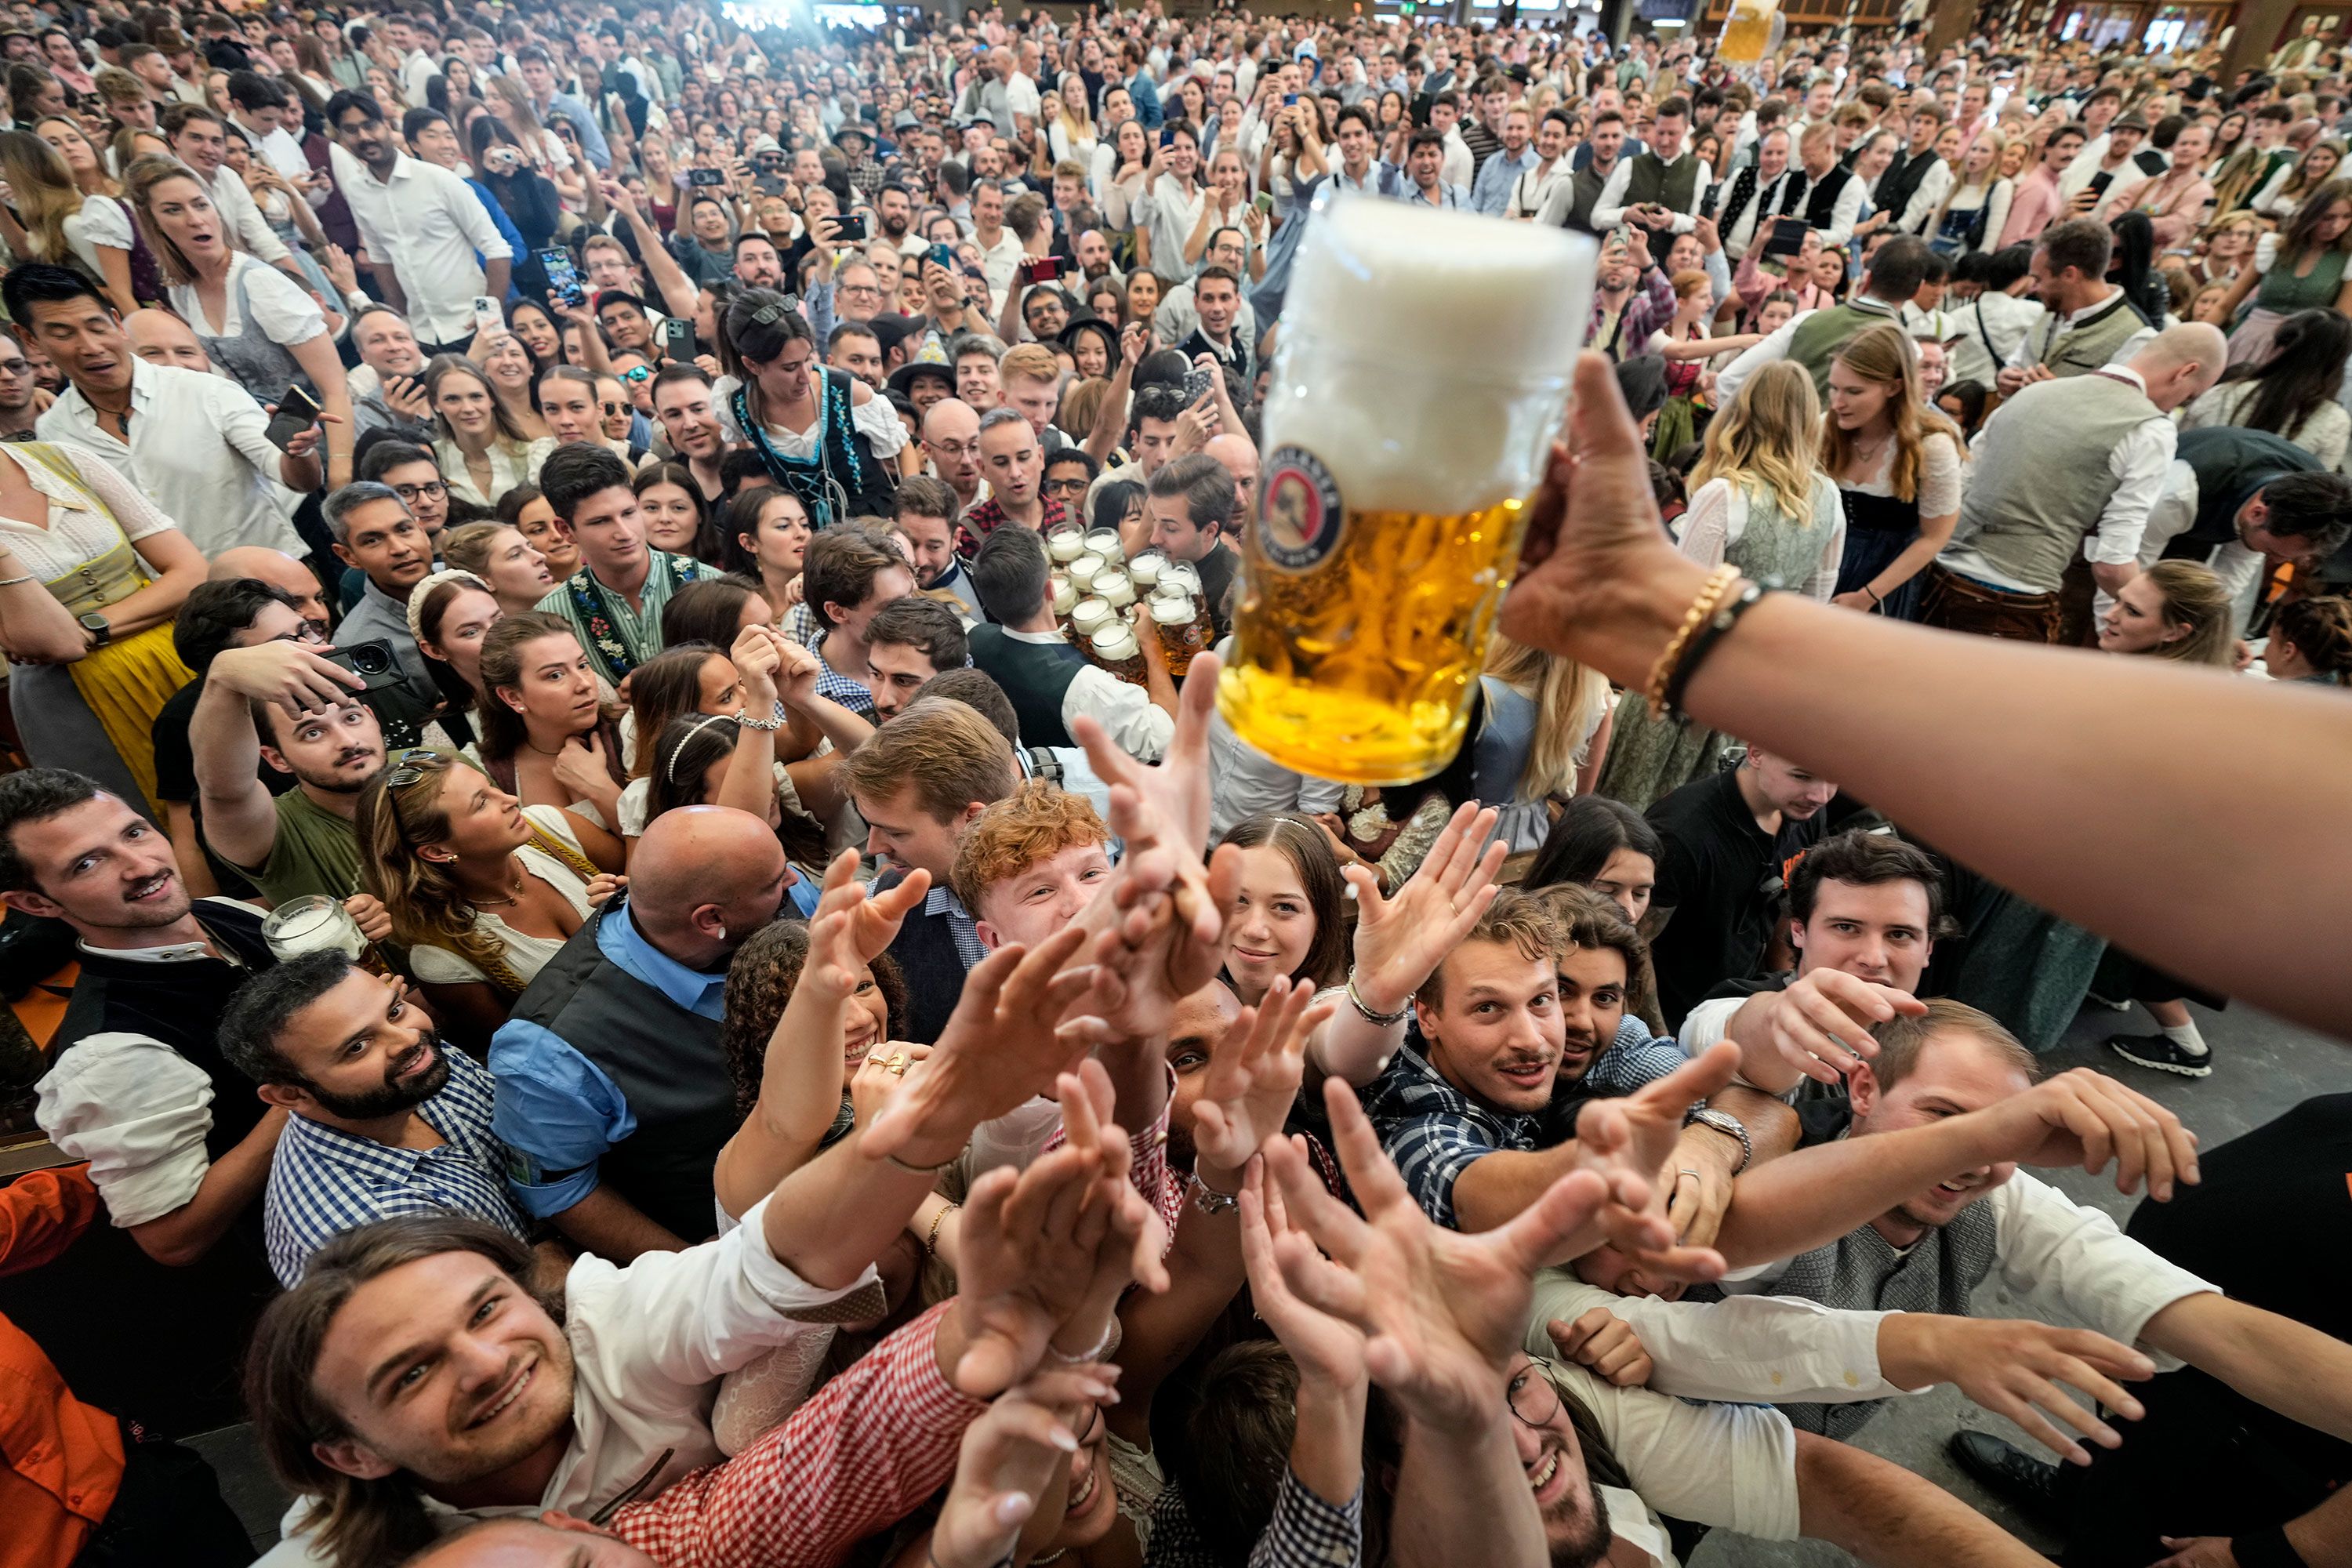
(615, 598)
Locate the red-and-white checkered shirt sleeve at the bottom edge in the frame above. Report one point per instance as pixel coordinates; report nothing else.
(860, 1456)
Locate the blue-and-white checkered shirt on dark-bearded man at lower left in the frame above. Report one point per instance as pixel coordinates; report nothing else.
(326, 1181)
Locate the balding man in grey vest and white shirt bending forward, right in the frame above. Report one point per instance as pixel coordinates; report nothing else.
(2059, 492)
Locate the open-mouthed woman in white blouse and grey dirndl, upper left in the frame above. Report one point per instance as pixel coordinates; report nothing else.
(253, 321)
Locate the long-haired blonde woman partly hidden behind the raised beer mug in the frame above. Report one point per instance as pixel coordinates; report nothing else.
(1544, 739)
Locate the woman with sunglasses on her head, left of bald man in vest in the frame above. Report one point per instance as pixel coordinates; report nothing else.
(481, 890)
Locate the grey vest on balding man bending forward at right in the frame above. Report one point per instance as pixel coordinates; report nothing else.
(2043, 478)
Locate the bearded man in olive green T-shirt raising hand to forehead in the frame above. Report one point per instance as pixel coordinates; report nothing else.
(300, 713)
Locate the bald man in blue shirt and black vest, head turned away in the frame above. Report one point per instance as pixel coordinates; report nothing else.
(613, 1080)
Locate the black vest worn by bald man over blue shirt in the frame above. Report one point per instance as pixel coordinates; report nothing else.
(664, 1061)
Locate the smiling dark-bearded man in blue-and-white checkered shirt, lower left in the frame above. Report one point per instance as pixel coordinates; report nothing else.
(385, 1120)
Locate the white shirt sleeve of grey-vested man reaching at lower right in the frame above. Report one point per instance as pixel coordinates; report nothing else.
(2066, 1264)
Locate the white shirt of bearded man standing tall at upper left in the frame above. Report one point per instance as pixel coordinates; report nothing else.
(429, 227)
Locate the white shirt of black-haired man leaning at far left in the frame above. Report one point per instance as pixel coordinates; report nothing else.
(199, 450)
